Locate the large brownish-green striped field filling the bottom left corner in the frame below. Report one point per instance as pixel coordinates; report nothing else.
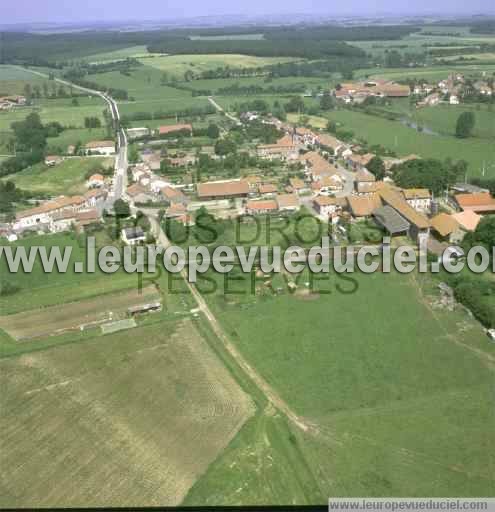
(117, 420)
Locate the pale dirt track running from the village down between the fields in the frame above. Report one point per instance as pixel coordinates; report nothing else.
(271, 395)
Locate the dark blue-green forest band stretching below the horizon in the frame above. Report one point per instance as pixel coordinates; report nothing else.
(57, 50)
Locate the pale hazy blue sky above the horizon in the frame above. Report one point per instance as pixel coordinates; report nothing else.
(110, 10)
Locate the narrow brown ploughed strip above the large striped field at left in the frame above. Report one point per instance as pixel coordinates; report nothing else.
(65, 317)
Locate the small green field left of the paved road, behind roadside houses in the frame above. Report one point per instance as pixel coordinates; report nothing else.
(66, 178)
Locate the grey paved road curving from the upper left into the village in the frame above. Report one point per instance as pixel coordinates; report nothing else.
(120, 174)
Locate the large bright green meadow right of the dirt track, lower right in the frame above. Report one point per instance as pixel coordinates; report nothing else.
(380, 386)
